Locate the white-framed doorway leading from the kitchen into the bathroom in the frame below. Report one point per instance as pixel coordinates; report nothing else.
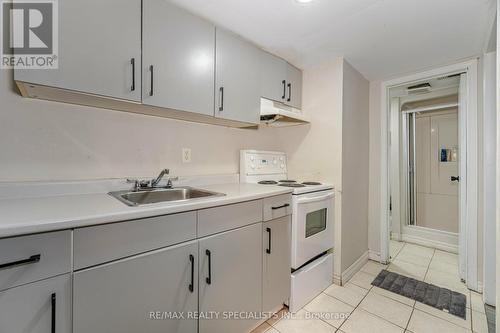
(429, 166)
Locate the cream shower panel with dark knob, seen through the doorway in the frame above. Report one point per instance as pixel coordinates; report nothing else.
(436, 164)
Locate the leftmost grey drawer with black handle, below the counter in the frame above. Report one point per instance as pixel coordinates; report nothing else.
(30, 258)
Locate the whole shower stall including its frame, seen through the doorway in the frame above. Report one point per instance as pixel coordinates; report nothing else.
(430, 172)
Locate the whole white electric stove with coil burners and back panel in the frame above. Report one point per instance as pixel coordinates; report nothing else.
(312, 222)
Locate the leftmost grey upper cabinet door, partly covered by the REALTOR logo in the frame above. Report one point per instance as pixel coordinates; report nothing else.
(97, 42)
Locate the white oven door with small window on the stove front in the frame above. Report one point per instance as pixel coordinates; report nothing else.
(312, 226)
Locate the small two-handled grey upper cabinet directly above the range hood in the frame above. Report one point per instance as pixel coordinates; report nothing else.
(280, 81)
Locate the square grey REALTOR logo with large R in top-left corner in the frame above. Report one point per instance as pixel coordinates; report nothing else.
(29, 34)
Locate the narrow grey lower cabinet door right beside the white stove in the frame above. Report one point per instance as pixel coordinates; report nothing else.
(276, 263)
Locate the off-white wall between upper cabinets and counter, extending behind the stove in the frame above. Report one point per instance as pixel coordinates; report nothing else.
(41, 140)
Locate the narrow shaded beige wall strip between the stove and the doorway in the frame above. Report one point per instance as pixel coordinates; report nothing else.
(355, 160)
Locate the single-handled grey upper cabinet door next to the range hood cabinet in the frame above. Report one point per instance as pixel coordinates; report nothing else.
(237, 78)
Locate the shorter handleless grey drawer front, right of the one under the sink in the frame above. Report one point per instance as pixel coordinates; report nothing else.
(218, 219)
